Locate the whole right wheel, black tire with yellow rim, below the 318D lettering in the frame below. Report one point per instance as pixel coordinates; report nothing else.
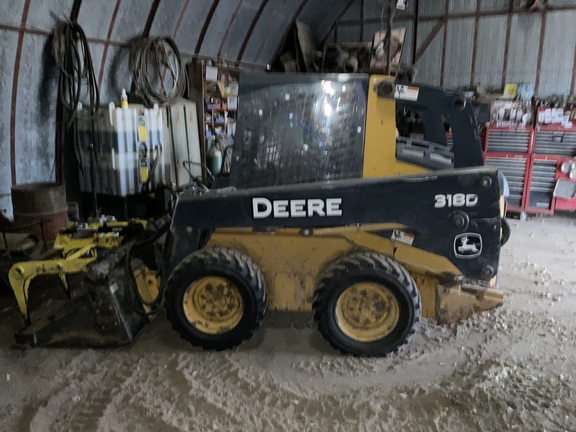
(367, 304)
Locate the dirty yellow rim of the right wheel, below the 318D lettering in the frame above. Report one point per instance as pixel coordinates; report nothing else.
(367, 312)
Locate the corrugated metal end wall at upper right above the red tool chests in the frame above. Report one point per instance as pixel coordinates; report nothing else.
(486, 42)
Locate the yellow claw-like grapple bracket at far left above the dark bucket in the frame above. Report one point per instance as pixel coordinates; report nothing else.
(22, 274)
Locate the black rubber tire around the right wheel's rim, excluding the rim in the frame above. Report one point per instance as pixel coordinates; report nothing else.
(367, 267)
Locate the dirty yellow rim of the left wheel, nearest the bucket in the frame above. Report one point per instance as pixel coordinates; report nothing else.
(213, 305)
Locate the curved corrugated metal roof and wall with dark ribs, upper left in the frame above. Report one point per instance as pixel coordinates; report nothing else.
(249, 32)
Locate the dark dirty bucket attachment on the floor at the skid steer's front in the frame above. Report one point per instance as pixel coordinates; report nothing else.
(103, 310)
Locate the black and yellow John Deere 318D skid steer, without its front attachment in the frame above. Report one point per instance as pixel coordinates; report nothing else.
(335, 213)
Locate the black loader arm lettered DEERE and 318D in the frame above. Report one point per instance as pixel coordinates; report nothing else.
(455, 214)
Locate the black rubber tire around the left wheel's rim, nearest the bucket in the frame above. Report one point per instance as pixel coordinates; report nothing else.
(222, 263)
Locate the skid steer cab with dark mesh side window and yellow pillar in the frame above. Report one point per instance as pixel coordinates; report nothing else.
(308, 128)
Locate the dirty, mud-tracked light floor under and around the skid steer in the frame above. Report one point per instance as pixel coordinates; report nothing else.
(510, 369)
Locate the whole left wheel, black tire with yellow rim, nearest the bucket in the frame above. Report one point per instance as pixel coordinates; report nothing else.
(216, 298)
